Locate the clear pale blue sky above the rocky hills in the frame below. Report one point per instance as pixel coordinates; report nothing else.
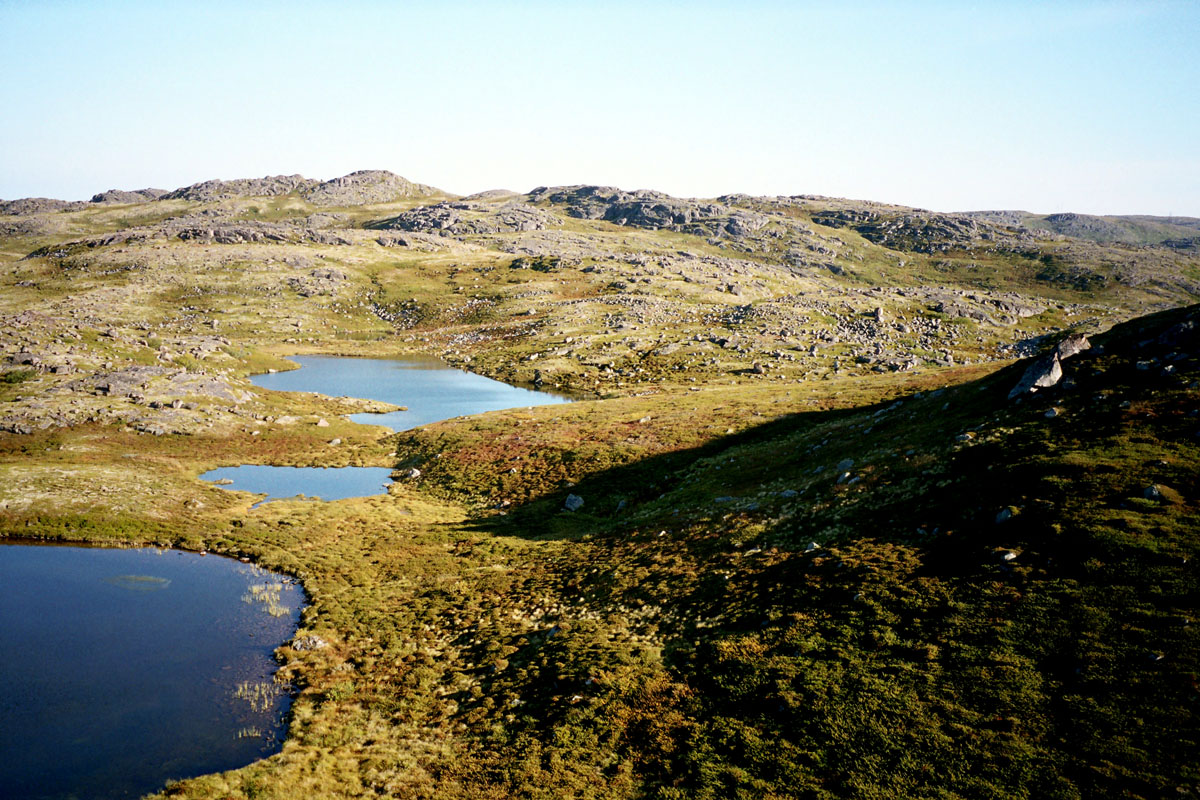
(1082, 106)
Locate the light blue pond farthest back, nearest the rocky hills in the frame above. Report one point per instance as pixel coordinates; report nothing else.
(430, 389)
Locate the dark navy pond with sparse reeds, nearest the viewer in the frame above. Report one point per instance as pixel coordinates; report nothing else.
(122, 670)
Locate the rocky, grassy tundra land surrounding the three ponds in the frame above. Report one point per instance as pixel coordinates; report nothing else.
(799, 539)
